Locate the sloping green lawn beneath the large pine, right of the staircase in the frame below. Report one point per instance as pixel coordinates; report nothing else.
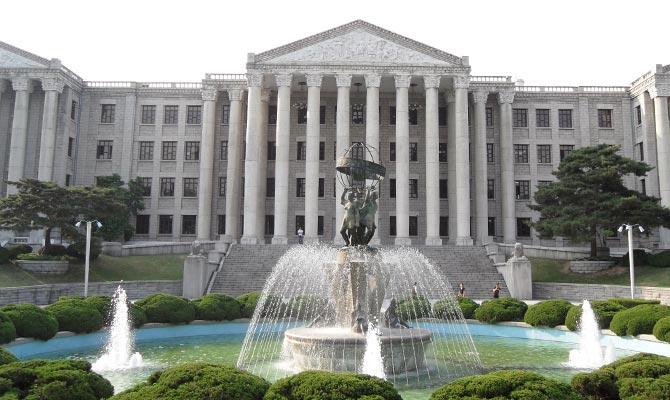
(546, 270)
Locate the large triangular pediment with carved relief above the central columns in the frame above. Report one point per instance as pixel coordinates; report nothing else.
(358, 43)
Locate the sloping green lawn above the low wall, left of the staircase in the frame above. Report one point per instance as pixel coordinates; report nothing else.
(105, 268)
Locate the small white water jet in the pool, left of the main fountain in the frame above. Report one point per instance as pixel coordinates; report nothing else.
(118, 353)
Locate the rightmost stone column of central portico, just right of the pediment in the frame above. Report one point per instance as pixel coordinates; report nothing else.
(507, 167)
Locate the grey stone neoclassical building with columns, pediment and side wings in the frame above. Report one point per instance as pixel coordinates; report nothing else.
(250, 157)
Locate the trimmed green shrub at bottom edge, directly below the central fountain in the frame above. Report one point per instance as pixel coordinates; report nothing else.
(324, 385)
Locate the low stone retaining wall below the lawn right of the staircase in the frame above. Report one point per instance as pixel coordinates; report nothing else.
(578, 292)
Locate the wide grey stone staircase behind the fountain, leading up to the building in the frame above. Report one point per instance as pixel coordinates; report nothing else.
(247, 267)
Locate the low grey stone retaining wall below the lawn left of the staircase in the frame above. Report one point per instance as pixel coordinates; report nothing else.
(47, 294)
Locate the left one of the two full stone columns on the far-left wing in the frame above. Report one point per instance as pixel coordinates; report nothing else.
(17, 146)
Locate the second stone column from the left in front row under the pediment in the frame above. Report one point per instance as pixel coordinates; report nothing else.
(282, 163)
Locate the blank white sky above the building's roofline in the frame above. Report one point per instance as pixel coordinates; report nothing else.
(564, 42)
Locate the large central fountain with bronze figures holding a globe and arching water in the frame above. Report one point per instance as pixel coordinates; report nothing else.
(345, 309)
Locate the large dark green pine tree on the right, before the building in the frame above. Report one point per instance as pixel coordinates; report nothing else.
(590, 198)
